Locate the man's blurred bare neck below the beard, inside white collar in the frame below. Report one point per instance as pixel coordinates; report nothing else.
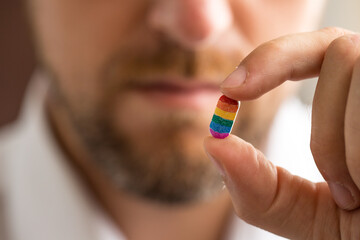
(136, 217)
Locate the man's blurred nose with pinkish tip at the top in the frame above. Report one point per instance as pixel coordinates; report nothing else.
(191, 22)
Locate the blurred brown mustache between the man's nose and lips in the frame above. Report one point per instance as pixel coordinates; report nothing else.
(133, 65)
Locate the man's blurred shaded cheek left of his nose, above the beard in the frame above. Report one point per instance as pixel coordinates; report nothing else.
(76, 38)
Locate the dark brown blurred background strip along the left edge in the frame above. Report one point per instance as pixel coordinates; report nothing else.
(17, 59)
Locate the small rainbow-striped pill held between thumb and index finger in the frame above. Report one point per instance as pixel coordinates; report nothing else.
(223, 118)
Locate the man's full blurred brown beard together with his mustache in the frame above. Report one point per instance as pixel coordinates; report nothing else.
(151, 153)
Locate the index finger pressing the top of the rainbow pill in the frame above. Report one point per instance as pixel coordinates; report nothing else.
(292, 57)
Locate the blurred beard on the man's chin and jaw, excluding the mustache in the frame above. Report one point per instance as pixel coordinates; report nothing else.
(157, 165)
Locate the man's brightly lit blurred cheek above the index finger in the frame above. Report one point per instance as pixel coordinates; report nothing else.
(263, 20)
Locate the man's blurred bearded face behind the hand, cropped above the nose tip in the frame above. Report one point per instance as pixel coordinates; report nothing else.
(139, 79)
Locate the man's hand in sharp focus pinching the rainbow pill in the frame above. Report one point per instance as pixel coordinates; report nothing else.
(270, 197)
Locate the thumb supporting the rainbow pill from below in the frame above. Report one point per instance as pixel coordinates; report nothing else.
(268, 196)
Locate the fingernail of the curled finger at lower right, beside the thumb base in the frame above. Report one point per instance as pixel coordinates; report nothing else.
(342, 195)
